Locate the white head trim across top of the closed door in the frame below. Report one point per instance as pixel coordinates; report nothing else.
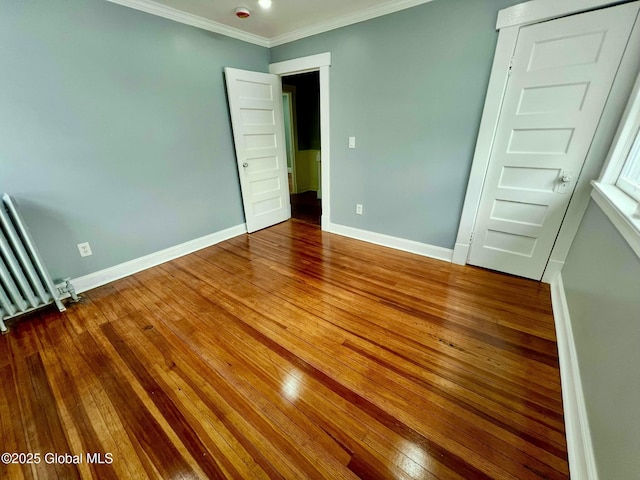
(541, 10)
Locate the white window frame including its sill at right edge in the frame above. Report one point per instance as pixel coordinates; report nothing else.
(622, 209)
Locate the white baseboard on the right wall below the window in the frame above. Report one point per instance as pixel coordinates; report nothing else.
(582, 462)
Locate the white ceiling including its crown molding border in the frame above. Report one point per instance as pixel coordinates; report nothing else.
(285, 21)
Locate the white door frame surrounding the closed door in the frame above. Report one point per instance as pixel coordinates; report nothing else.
(509, 22)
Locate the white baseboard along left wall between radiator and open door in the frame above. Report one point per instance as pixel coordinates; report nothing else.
(102, 277)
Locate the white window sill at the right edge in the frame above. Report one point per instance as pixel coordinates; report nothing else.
(619, 208)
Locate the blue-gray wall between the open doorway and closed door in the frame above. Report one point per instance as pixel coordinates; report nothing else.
(410, 87)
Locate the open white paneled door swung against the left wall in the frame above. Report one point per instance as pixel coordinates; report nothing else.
(255, 103)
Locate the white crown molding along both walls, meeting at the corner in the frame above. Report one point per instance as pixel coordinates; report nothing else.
(171, 13)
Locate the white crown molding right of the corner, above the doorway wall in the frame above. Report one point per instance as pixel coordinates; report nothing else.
(345, 20)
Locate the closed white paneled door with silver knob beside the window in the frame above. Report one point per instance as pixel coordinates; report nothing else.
(562, 71)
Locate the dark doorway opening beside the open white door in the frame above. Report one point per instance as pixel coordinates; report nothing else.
(301, 107)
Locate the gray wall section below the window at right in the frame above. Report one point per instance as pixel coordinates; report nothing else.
(602, 280)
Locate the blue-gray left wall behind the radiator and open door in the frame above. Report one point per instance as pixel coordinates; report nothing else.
(114, 129)
